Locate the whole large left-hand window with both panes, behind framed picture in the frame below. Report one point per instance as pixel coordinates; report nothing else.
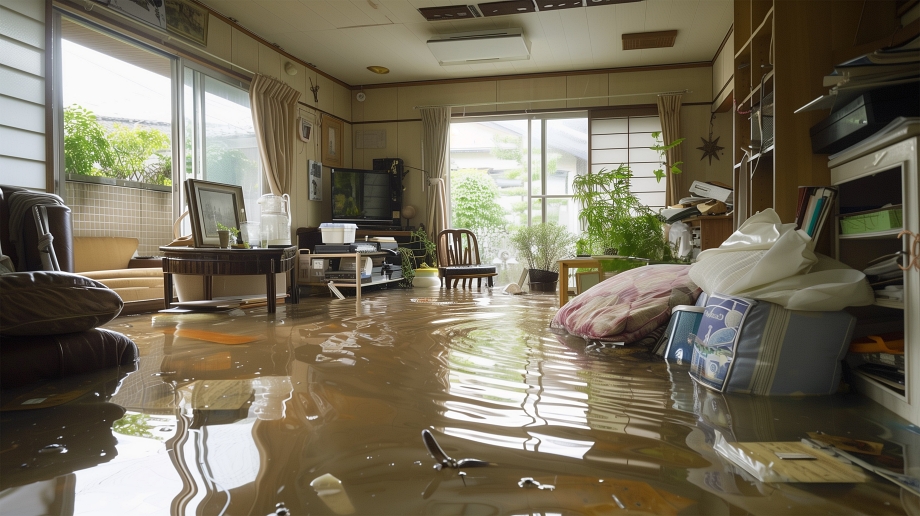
(131, 114)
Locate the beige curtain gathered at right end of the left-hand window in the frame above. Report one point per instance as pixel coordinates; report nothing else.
(274, 114)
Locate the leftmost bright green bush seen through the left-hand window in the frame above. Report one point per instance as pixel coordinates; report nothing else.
(86, 148)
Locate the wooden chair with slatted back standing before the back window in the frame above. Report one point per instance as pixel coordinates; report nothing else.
(458, 259)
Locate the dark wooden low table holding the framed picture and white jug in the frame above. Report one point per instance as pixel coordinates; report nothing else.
(208, 262)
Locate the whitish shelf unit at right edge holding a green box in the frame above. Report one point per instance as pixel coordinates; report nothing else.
(883, 170)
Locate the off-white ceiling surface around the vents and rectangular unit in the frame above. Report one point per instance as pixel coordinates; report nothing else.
(343, 37)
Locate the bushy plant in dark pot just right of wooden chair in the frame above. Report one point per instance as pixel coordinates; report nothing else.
(541, 246)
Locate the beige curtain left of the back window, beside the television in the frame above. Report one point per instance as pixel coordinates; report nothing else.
(435, 135)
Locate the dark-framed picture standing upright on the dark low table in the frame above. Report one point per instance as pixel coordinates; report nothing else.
(210, 203)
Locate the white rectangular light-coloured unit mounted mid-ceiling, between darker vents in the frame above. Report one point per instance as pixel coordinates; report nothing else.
(480, 46)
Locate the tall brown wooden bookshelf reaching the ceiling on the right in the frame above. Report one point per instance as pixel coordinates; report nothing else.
(783, 49)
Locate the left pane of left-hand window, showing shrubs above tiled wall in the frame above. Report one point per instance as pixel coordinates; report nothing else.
(117, 140)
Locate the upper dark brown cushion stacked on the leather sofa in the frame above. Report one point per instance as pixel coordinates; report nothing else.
(51, 303)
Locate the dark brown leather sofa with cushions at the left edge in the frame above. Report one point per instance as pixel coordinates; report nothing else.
(49, 319)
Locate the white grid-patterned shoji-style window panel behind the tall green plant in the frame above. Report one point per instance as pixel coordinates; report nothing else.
(617, 140)
